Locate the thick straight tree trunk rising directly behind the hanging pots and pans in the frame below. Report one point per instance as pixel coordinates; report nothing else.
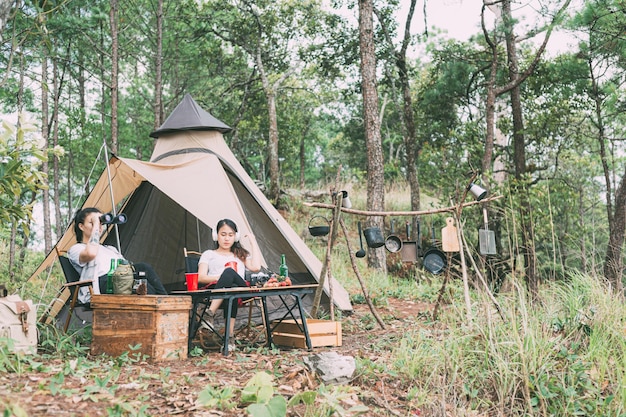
(373, 142)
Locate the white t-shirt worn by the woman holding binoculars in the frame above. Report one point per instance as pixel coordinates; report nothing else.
(98, 266)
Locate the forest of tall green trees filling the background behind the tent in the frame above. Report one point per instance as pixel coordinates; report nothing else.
(542, 129)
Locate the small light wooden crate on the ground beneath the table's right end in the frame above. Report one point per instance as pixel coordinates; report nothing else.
(322, 333)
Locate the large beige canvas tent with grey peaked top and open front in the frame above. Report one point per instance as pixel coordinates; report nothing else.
(191, 182)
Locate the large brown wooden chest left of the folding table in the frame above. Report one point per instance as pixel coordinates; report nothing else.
(160, 323)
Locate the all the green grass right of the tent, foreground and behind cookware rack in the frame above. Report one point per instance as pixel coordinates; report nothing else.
(562, 355)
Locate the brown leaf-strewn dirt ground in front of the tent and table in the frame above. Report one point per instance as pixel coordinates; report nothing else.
(171, 388)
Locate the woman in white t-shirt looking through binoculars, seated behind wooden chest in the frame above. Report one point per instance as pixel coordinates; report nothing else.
(92, 260)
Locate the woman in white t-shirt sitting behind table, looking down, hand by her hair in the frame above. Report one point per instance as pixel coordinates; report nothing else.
(225, 266)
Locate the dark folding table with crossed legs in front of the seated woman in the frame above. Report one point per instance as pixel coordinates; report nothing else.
(290, 296)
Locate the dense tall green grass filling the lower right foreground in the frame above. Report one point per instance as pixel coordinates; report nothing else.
(564, 356)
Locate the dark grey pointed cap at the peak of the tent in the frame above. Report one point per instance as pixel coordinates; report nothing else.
(188, 115)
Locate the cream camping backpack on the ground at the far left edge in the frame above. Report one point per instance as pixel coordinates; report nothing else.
(17, 322)
